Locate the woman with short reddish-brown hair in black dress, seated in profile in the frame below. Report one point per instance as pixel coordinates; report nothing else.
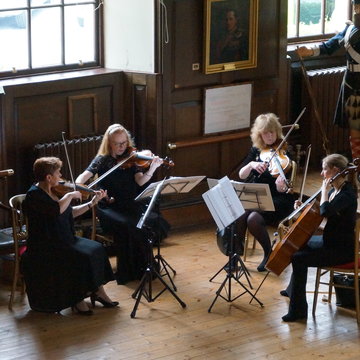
(61, 269)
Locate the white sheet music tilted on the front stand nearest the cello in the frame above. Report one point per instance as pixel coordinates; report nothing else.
(223, 203)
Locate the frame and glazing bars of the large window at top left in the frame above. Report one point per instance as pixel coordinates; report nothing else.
(98, 46)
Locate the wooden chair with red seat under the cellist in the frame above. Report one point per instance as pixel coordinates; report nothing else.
(350, 268)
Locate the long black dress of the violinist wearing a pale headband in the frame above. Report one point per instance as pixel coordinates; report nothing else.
(121, 217)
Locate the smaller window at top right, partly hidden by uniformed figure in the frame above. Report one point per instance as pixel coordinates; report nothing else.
(316, 19)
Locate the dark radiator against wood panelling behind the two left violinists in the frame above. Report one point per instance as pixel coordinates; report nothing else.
(81, 151)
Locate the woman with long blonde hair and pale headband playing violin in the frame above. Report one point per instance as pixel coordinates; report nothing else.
(121, 216)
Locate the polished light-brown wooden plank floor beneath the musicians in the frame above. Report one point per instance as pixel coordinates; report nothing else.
(164, 330)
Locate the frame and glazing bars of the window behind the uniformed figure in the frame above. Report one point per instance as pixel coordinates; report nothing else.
(318, 37)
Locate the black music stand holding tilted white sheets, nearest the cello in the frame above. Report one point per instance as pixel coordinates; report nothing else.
(226, 208)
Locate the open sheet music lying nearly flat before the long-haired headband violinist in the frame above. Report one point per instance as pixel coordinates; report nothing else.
(172, 185)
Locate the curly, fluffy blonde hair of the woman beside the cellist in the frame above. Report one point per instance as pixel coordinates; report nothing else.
(264, 123)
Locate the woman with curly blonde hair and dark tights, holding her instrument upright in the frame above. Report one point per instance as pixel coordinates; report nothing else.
(266, 133)
